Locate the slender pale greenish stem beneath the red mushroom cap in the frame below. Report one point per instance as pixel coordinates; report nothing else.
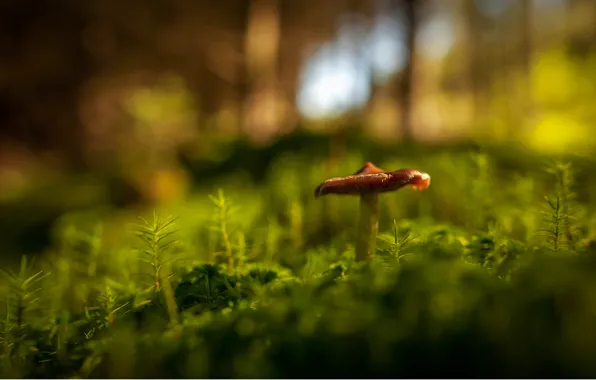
(368, 226)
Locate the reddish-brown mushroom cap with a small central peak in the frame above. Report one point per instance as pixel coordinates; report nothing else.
(370, 179)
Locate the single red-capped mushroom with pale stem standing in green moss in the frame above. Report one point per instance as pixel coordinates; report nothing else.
(367, 183)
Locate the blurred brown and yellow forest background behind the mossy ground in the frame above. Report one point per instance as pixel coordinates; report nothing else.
(128, 103)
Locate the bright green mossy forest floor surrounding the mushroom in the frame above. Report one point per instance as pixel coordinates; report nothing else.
(480, 275)
